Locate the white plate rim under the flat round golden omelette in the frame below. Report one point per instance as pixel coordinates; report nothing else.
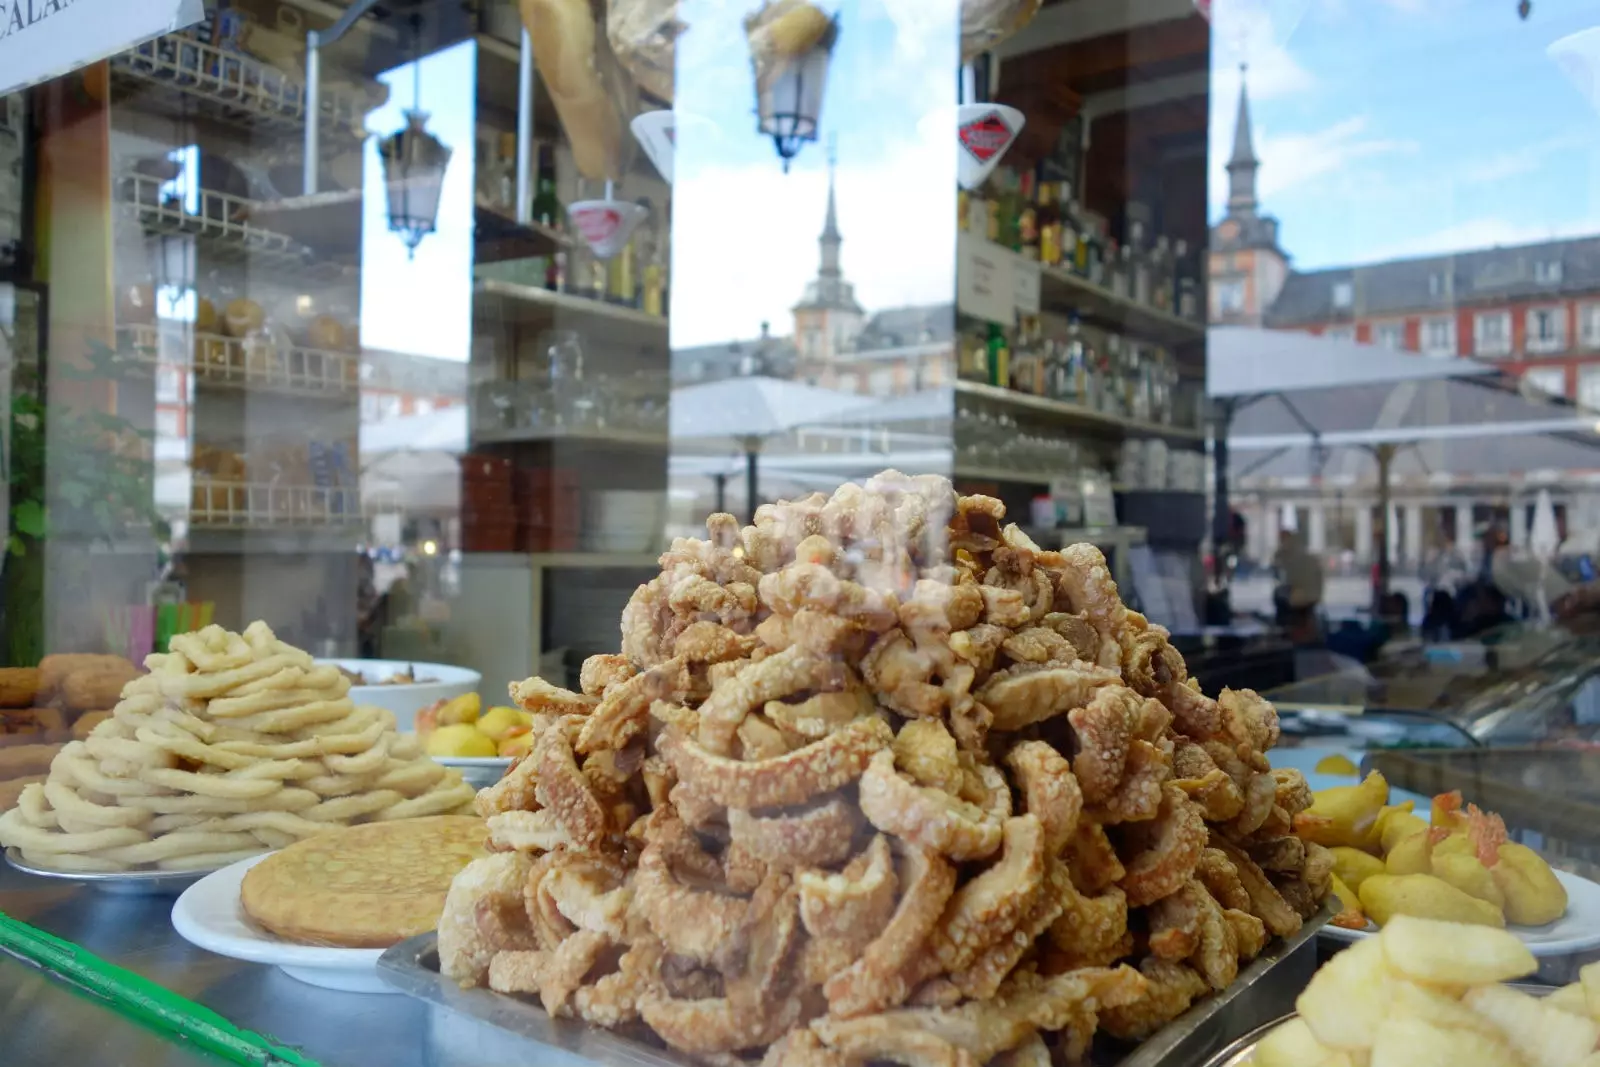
(210, 916)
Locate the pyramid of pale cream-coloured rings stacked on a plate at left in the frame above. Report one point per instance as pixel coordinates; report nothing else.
(230, 746)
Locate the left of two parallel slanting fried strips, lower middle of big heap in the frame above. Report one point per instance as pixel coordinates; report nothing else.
(884, 977)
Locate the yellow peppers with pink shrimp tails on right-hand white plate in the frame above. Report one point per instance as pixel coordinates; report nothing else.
(1455, 866)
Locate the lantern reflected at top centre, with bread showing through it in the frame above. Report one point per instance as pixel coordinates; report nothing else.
(791, 73)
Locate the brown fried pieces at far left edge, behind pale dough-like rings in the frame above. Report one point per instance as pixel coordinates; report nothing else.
(44, 708)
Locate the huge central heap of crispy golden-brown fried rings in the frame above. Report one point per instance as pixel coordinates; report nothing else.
(878, 778)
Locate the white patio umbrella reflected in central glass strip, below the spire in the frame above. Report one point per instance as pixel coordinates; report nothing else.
(751, 410)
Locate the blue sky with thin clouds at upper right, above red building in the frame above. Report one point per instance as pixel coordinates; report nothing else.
(1409, 127)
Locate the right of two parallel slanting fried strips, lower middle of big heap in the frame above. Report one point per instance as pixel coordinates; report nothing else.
(994, 903)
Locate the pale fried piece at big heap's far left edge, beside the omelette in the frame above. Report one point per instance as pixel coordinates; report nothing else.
(470, 929)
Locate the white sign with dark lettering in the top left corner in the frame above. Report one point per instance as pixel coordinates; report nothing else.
(46, 39)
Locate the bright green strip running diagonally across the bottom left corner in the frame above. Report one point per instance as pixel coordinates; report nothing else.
(143, 1001)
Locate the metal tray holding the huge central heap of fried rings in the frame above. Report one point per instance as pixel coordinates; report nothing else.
(1265, 993)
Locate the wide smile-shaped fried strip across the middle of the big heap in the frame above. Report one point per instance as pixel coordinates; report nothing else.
(794, 778)
